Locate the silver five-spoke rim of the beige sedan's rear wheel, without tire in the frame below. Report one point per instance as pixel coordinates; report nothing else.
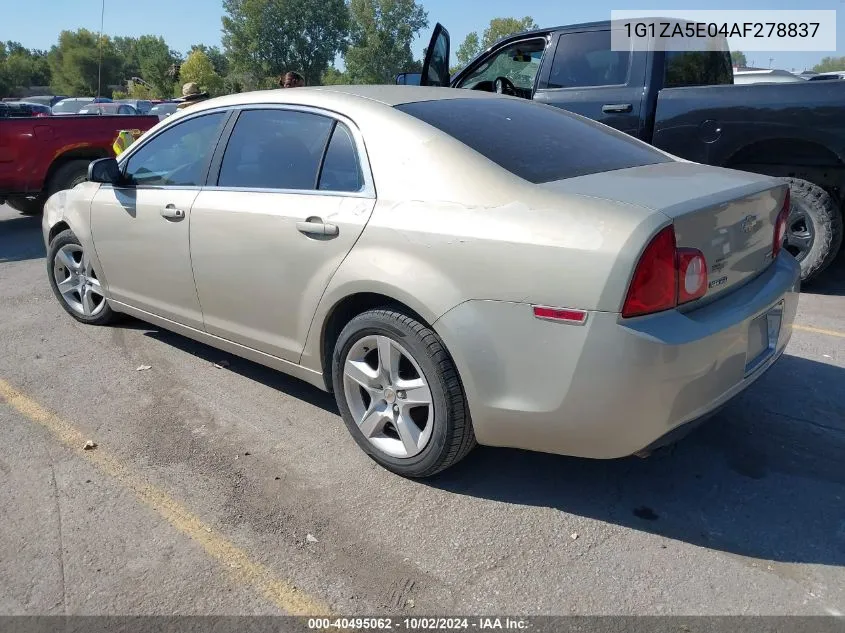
(388, 396)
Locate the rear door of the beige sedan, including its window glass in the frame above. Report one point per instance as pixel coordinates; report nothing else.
(291, 199)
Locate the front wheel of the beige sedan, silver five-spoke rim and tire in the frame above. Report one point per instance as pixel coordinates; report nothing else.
(74, 281)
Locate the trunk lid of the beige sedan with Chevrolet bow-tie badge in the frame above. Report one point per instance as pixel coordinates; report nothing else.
(728, 215)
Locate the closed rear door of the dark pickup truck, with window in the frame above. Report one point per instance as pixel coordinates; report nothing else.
(587, 77)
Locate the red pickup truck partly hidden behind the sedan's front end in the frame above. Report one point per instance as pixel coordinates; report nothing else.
(42, 155)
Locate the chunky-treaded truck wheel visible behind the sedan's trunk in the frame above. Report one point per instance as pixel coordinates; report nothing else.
(814, 228)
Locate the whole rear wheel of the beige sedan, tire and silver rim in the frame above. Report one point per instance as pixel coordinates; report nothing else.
(400, 395)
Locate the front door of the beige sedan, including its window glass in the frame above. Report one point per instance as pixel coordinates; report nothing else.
(141, 229)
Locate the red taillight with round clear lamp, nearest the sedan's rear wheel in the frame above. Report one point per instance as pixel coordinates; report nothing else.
(665, 276)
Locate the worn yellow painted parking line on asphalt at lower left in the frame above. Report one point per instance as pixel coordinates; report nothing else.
(236, 561)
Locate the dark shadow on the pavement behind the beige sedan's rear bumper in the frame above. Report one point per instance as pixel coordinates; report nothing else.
(764, 479)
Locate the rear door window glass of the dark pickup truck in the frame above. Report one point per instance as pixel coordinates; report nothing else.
(585, 59)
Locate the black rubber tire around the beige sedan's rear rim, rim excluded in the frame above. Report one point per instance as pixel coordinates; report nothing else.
(452, 436)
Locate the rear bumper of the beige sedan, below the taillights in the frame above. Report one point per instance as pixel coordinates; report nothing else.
(613, 386)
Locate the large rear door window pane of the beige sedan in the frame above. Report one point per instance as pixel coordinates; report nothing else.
(275, 149)
